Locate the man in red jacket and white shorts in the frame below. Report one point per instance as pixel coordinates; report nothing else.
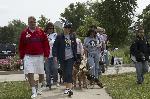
(33, 49)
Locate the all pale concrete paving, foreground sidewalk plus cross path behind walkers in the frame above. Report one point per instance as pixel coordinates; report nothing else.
(57, 93)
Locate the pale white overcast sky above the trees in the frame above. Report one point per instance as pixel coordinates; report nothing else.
(22, 9)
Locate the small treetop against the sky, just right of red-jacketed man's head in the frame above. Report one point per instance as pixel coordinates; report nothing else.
(42, 21)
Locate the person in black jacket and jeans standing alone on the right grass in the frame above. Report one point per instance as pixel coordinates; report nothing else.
(140, 52)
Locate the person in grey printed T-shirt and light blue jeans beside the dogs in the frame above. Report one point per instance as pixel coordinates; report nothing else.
(92, 51)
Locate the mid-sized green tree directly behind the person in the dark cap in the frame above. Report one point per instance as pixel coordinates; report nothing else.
(75, 14)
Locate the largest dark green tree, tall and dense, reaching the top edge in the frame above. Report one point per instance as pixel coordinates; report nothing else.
(116, 17)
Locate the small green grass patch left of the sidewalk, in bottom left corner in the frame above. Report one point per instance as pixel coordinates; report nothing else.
(14, 90)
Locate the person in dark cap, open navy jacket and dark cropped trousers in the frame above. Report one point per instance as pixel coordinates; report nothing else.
(65, 50)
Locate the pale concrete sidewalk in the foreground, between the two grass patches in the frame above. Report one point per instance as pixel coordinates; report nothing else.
(95, 93)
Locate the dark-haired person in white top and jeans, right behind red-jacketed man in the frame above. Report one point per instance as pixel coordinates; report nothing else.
(51, 66)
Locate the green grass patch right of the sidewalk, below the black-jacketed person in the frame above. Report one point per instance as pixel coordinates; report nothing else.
(124, 86)
